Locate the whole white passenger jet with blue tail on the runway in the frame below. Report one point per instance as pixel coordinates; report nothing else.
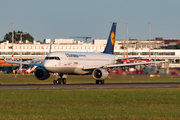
(80, 63)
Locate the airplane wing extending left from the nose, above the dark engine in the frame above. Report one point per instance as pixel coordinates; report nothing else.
(24, 63)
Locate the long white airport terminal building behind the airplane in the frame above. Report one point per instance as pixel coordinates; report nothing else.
(132, 48)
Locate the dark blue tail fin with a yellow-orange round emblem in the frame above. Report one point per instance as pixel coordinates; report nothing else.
(111, 40)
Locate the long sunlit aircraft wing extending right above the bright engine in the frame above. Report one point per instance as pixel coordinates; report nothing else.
(119, 65)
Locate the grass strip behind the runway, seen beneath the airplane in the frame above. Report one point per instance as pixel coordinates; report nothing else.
(71, 79)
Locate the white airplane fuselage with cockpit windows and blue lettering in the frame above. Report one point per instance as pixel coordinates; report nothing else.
(73, 62)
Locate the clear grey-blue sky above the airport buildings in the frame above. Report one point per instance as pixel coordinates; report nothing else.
(68, 18)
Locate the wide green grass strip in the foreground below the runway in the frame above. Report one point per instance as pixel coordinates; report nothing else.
(104, 104)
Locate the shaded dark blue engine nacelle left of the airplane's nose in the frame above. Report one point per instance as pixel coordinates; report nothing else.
(41, 74)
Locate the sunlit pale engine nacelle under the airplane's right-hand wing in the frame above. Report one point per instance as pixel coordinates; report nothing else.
(100, 74)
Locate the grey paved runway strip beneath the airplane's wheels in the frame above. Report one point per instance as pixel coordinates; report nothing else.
(89, 86)
